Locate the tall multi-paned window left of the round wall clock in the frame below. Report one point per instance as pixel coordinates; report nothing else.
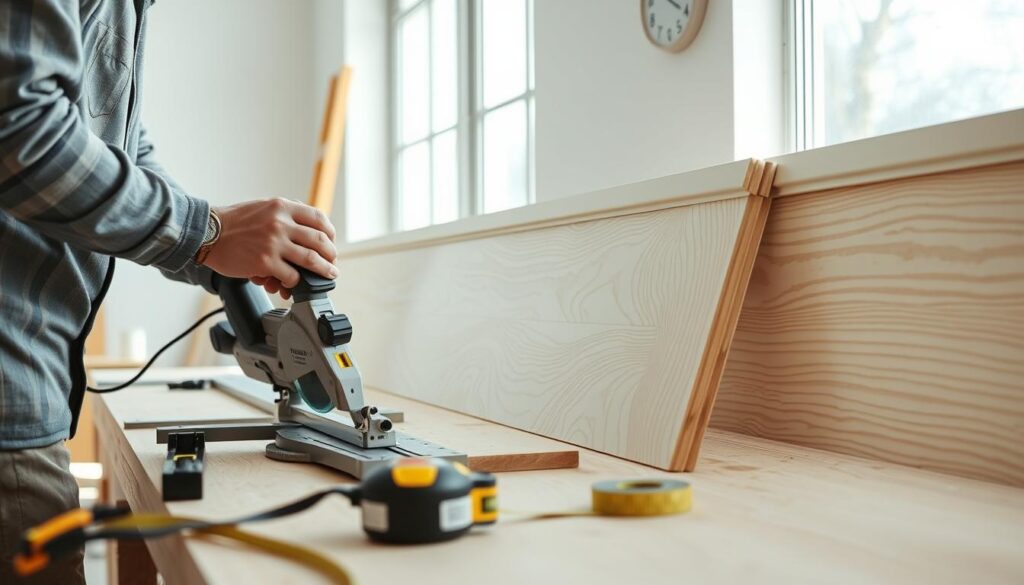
(462, 109)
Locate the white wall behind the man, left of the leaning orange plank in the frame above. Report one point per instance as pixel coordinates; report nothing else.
(229, 100)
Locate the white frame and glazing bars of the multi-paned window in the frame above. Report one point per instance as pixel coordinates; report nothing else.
(471, 110)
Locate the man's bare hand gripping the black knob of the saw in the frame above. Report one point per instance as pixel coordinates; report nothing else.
(261, 240)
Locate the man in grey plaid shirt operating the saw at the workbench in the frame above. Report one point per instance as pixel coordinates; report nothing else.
(79, 186)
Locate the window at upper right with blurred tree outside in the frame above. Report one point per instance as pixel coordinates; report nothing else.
(863, 68)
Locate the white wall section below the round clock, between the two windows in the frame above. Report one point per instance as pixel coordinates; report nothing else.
(613, 109)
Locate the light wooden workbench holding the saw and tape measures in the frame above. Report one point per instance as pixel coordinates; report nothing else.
(763, 511)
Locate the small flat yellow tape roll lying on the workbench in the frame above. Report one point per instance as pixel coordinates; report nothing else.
(642, 497)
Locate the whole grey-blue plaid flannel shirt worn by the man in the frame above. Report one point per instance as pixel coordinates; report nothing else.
(78, 187)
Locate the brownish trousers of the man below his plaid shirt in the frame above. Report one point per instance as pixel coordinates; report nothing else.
(35, 486)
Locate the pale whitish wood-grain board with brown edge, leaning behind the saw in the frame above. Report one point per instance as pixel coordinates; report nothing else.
(609, 332)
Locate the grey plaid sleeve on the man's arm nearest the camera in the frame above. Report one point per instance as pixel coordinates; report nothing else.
(59, 178)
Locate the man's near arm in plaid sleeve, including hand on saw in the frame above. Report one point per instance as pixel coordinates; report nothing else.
(66, 183)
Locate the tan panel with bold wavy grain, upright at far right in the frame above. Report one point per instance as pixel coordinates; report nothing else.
(888, 321)
